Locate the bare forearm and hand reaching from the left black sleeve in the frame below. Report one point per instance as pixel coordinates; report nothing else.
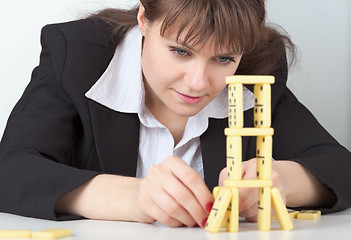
(172, 193)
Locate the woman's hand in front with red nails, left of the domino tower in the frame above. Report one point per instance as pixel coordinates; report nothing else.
(174, 194)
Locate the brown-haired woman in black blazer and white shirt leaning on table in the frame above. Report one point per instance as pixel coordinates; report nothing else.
(124, 118)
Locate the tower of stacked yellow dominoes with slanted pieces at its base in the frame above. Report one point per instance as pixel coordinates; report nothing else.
(225, 211)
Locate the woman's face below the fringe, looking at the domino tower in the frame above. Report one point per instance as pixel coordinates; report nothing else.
(180, 80)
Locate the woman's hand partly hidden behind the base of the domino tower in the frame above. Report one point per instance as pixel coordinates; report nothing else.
(248, 197)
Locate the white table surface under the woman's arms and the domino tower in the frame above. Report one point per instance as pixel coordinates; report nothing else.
(334, 226)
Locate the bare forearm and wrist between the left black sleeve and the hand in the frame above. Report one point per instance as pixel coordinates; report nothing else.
(107, 197)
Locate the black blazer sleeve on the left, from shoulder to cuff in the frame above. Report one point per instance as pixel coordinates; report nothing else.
(37, 164)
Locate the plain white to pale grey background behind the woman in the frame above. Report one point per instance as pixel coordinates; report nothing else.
(320, 28)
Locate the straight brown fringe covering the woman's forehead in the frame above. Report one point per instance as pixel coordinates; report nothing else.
(228, 24)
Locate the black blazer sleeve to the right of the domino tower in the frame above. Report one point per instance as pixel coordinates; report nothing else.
(299, 137)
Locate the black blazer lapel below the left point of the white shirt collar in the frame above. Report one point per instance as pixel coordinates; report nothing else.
(116, 139)
